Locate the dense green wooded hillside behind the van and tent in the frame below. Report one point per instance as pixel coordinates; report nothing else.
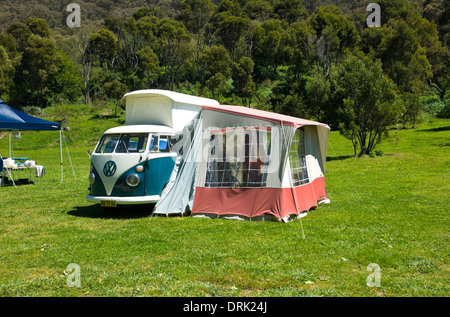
(273, 55)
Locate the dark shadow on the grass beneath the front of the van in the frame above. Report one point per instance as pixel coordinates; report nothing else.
(121, 212)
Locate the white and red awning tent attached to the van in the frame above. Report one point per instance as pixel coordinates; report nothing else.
(249, 164)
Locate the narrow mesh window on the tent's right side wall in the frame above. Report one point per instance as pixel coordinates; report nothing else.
(299, 171)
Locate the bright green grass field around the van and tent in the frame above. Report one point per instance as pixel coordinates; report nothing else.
(391, 210)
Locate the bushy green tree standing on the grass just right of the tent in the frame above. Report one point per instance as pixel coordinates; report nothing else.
(366, 101)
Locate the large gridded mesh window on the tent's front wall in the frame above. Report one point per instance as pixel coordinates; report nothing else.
(238, 157)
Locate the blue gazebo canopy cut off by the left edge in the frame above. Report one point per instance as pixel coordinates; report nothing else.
(12, 119)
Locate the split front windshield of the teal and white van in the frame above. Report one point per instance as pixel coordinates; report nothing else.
(122, 143)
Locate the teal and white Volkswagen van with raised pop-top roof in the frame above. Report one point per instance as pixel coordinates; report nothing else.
(132, 164)
